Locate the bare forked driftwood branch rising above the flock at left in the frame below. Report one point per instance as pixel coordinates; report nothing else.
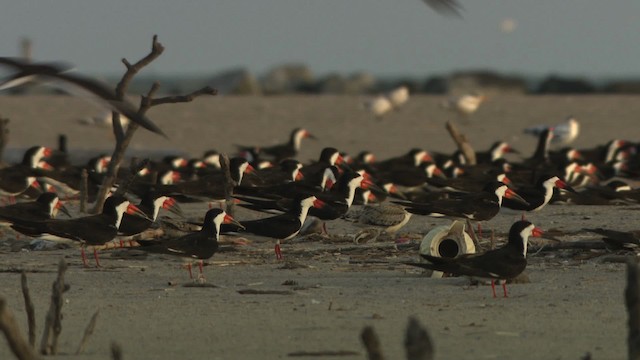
(124, 139)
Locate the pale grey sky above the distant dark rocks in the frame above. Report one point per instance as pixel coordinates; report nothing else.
(593, 38)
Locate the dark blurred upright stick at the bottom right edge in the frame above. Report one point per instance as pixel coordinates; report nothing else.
(632, 300)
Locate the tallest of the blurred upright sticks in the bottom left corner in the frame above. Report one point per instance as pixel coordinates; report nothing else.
(53, 320)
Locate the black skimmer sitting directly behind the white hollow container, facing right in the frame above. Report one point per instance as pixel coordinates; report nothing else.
(480, 206)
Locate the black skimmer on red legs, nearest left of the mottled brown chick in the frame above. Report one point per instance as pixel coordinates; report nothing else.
(284, 226)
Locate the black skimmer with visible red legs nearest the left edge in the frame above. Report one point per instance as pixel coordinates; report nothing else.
(94, 230)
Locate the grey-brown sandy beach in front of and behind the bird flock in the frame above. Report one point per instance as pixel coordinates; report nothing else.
(573, 305)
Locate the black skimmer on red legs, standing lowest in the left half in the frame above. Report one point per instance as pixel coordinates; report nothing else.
(199, 245)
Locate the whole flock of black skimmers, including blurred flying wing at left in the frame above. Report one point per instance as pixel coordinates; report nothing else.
(337, 186)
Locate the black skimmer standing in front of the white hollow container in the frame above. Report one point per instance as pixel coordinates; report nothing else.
(501, 264)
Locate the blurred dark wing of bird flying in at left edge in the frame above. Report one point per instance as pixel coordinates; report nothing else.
(108, 96)
